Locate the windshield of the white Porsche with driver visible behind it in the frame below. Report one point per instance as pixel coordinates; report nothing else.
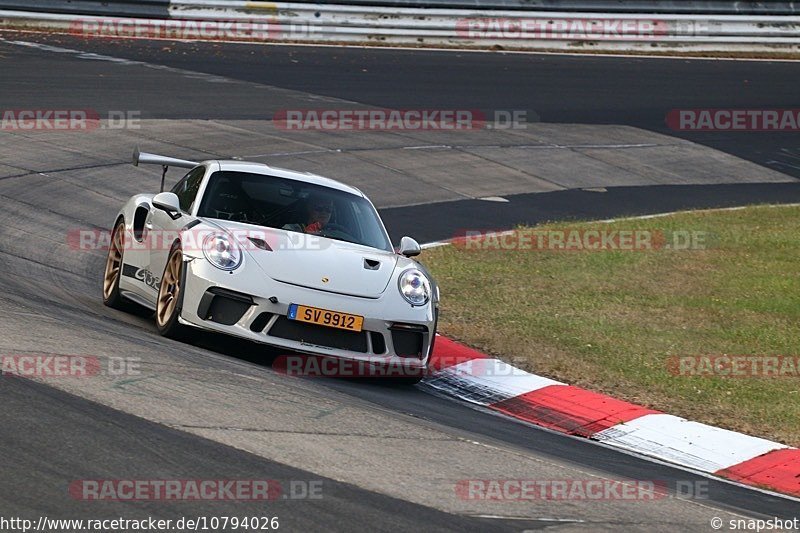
(293, 205)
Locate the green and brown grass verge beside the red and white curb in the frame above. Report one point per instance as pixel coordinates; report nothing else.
(617, 321)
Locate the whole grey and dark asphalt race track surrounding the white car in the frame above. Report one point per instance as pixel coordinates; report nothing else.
(388, 457)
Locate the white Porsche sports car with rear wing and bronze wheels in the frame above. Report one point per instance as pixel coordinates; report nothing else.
(285, 258)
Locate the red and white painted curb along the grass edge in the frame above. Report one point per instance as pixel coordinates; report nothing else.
(469, 375)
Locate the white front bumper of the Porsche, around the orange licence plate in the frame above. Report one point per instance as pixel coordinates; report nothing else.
(393, 331)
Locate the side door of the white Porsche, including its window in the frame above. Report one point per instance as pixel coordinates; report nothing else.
(165, 229)
